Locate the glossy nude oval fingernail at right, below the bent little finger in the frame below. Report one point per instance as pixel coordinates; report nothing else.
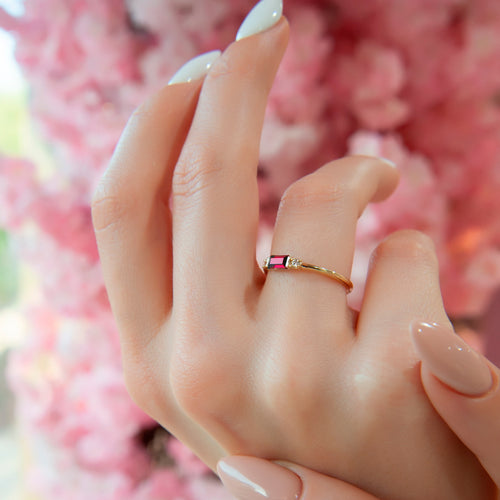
(450, 359)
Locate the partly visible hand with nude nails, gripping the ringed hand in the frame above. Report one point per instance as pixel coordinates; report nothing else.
(461, 384)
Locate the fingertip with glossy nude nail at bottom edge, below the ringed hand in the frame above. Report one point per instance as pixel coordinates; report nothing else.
(250, 478)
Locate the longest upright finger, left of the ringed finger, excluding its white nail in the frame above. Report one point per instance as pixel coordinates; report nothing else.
(215, 196)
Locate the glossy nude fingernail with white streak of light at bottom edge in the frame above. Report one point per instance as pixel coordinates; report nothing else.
(249, 478)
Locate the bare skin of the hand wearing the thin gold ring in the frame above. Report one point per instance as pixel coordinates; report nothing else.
(279, 367)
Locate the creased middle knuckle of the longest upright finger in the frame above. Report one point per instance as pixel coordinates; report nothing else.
(194, 174)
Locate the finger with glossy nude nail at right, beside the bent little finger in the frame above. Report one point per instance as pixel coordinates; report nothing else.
(463, 387)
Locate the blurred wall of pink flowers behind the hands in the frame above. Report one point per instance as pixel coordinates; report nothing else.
(416, 81)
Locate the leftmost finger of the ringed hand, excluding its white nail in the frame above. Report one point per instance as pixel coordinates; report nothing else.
(130, 212)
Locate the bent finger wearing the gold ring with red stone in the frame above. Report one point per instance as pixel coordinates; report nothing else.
(317, 223)
